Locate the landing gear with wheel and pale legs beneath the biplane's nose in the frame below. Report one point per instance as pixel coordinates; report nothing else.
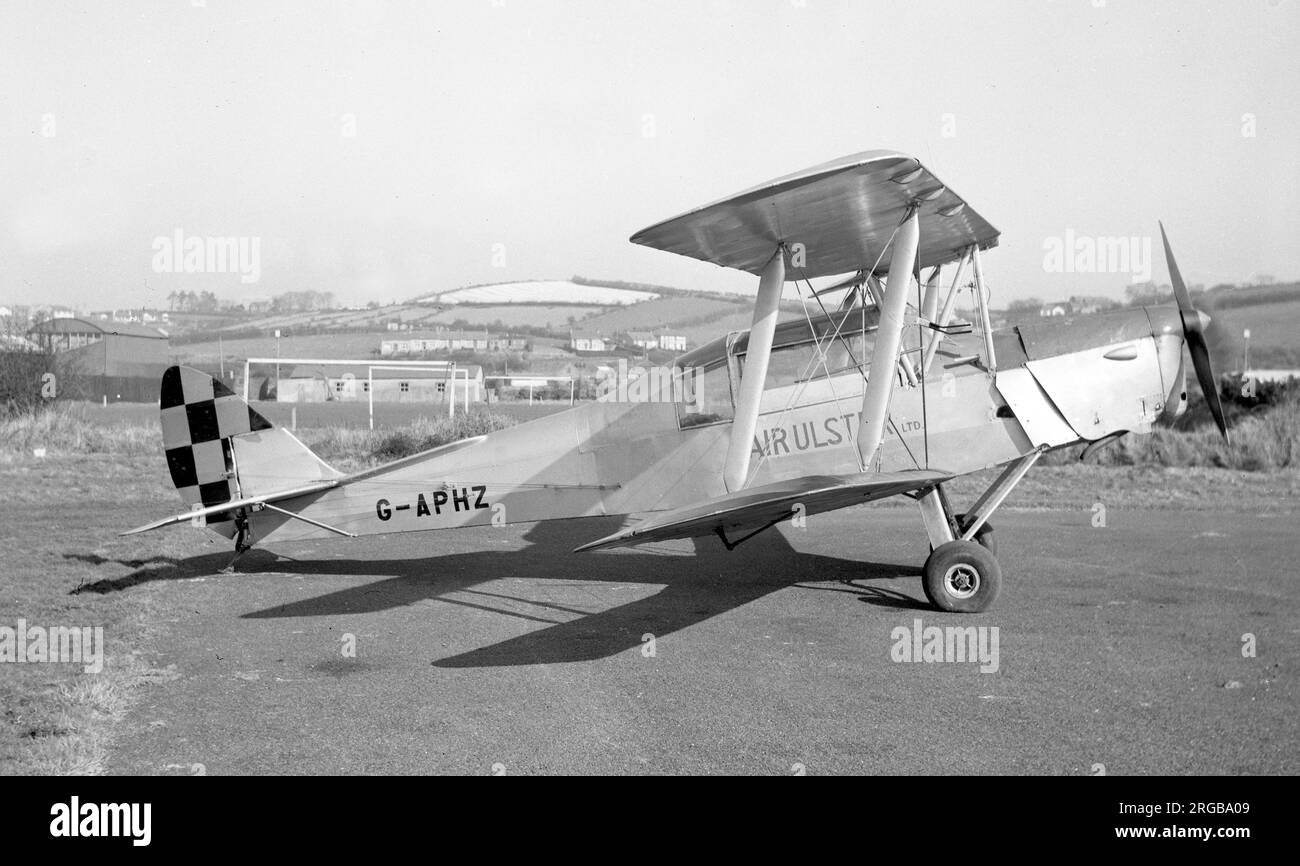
(963, 574)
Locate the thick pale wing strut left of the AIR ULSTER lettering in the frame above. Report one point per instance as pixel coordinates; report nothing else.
(760, 352)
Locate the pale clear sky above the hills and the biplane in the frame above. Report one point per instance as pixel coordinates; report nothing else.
(383, 151)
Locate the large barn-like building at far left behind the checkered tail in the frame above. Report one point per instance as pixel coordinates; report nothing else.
(118, 361)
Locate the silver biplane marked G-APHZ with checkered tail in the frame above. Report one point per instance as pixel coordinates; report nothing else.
(877, 389)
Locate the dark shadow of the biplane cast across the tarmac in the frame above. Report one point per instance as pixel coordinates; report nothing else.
(695, 588)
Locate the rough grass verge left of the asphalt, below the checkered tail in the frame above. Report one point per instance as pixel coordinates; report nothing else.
(59, 525)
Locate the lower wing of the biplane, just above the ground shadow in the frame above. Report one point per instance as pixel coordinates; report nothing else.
(772, 503)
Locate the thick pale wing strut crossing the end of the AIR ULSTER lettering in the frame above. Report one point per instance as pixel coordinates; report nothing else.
(885, 358)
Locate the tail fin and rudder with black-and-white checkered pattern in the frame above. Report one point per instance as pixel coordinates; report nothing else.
(220, 451)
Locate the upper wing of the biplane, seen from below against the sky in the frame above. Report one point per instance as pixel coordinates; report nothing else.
(843, 213)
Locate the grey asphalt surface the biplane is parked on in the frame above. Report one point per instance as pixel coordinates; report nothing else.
(497, 651)
